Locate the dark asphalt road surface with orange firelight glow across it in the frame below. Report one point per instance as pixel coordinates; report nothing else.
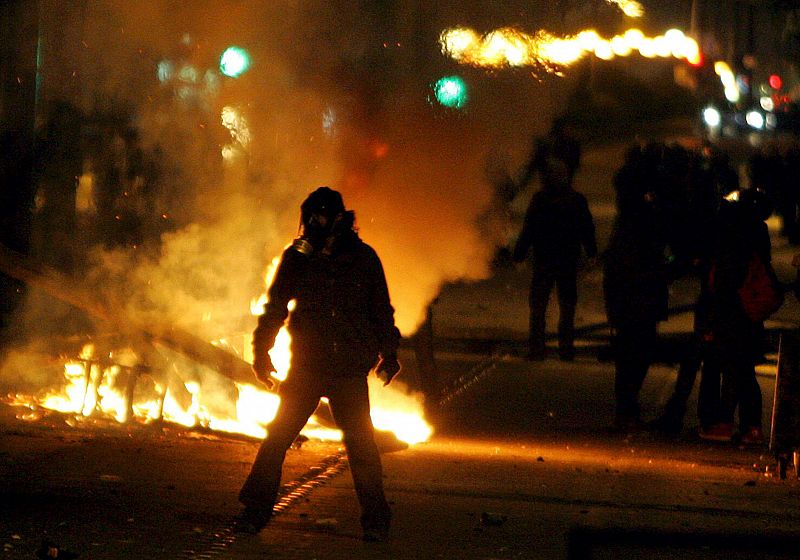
(522, 465)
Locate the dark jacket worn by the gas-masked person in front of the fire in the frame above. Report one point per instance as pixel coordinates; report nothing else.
(343, 320)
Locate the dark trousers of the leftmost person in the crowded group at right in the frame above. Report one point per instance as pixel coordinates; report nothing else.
(634, 347)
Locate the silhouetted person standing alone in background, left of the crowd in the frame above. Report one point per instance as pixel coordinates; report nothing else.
(557, 225)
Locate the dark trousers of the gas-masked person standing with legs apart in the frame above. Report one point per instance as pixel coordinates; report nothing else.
(349, 402)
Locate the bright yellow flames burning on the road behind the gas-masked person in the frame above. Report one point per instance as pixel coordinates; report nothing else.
(92, 388)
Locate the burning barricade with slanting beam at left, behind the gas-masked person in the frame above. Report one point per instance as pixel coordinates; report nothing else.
(157, 374)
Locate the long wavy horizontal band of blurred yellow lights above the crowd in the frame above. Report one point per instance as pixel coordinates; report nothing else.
(508, 47)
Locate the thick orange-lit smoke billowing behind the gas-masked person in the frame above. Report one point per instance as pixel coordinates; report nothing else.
(316, 114)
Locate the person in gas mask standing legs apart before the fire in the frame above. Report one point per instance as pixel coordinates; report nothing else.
(342, 327)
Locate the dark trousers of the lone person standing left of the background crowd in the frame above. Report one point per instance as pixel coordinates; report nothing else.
(563, 277)
